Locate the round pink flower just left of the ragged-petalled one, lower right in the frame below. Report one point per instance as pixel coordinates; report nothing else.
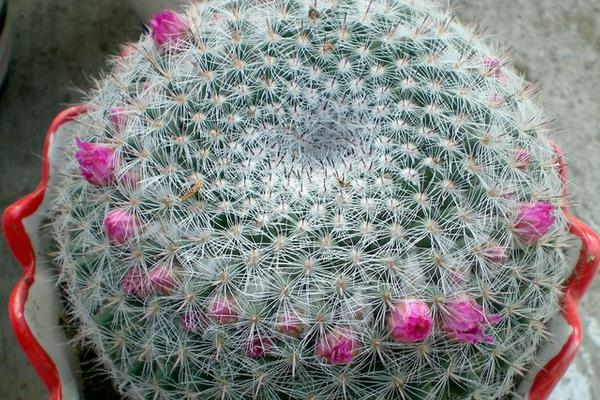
(410, 321)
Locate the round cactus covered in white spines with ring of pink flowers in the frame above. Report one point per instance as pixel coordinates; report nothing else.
(293, 199)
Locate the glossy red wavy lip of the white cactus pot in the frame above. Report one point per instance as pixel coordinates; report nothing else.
(20, 244)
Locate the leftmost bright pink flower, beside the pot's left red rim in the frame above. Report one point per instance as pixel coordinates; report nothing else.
(96, 163)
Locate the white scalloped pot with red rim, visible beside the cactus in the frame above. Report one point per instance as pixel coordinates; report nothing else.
(35, 305)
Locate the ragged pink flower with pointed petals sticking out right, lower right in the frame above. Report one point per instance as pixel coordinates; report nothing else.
(465, 320)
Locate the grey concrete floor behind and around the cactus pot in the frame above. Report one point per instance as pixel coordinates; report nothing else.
(59, 45)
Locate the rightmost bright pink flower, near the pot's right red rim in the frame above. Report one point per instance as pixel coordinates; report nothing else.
(533, 221)
